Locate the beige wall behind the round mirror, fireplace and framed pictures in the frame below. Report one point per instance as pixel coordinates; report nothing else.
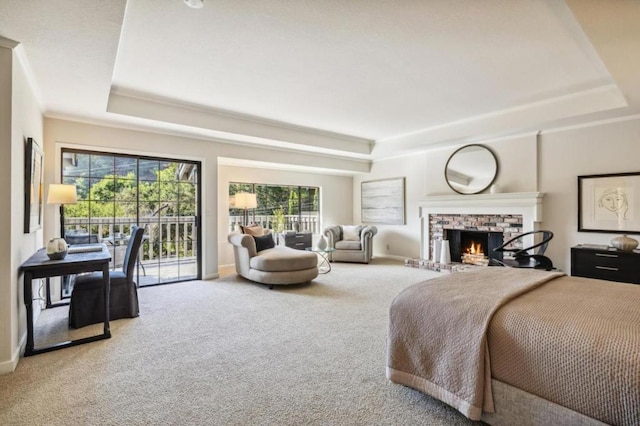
(548, 163)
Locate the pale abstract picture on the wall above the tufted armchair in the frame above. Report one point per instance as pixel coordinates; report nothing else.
(383, 201)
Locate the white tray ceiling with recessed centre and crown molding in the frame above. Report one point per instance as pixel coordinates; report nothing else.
(356, 79)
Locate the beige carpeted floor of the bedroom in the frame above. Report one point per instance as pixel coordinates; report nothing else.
(231, 352)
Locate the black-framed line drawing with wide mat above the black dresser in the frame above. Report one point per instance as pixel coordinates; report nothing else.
(609, 203)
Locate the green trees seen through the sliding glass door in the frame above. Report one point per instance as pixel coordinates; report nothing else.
(108, 187)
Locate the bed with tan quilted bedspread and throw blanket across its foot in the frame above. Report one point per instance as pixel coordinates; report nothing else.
(519, 346)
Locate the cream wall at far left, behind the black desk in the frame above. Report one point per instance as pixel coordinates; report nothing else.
(20, 118)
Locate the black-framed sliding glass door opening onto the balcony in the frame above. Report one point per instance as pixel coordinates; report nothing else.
(117, 191)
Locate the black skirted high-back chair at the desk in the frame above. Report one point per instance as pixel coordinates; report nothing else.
(87, 305)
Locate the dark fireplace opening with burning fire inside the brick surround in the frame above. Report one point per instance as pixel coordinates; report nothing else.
(474, 247)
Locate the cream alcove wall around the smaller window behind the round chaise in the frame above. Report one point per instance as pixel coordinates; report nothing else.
(335, 196)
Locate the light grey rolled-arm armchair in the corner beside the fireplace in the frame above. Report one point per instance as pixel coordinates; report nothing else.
(352, 243)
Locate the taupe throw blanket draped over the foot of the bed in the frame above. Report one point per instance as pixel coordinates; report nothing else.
(437, 340)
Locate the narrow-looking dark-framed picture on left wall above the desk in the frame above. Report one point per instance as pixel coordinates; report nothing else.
(33, 186)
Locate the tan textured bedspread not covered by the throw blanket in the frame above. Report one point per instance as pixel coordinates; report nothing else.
(576, 342)
